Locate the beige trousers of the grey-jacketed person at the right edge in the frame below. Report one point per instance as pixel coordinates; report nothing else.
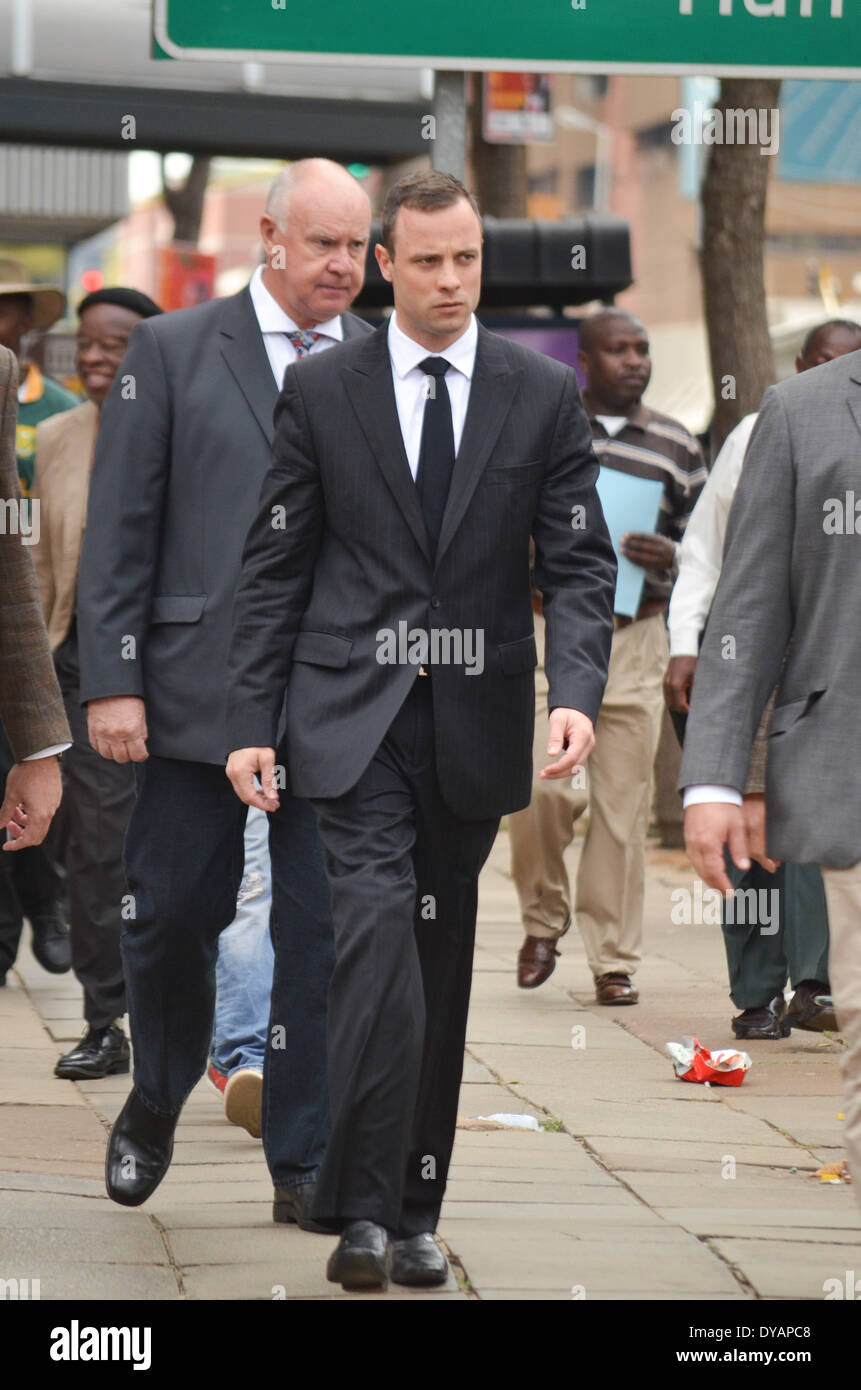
(844, 897)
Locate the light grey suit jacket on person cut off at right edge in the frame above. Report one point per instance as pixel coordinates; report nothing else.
(792, 575)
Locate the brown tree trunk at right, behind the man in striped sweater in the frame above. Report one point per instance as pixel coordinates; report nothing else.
(732, 263)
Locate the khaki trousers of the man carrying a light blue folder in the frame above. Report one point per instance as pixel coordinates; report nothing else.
(611, 879)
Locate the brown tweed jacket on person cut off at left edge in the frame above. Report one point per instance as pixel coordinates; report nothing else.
(31, 705)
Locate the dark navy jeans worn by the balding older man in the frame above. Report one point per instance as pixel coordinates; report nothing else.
(184, 858)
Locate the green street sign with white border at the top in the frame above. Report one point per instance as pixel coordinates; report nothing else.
(781, 38)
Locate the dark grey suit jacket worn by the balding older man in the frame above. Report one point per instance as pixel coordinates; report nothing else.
(184, 445)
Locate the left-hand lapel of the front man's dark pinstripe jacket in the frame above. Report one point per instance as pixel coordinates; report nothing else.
(371, 390)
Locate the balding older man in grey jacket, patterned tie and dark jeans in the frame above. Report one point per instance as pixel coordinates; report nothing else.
(184, 445)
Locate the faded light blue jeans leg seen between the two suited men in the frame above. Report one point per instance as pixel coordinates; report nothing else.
(244, 971)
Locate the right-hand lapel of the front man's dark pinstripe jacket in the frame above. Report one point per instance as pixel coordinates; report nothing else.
(492, 395)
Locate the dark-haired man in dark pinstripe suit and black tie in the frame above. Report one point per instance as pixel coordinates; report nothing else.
(392, 548)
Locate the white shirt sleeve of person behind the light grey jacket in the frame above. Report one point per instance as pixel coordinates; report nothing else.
(702, 551)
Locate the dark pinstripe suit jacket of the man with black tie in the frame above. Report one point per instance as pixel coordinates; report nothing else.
(350, 559)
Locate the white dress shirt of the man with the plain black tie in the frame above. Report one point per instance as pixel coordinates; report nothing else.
(411, 384)
